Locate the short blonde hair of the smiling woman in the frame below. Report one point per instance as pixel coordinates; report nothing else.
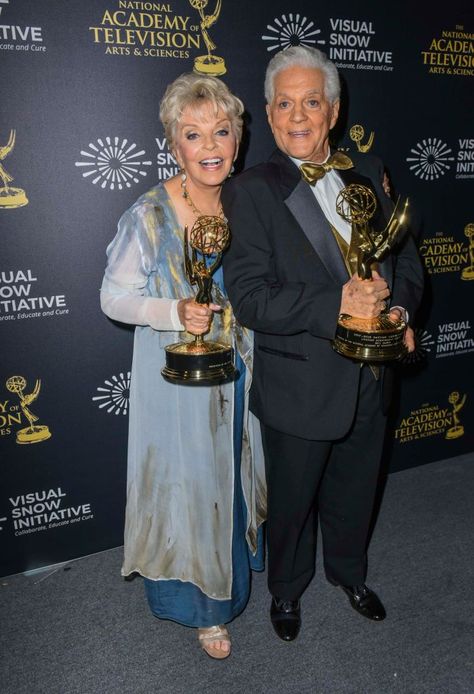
(191, 89)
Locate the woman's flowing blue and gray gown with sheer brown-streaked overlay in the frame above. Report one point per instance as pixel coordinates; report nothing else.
(196, 485)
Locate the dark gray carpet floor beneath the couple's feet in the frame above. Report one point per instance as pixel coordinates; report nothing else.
(81, 629)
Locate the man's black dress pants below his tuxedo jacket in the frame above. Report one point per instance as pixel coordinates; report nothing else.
(336, 480)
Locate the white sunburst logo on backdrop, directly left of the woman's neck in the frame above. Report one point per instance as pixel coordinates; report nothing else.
(112, 163)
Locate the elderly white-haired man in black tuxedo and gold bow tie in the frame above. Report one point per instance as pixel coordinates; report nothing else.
(322, 414)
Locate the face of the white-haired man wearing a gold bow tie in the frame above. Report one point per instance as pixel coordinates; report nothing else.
(300, 116)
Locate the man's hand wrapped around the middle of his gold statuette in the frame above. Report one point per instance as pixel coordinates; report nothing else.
(364, 298)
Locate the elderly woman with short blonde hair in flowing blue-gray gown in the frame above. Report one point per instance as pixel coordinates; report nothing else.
(195, 492)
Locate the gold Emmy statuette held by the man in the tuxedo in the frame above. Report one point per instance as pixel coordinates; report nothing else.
(368, 339)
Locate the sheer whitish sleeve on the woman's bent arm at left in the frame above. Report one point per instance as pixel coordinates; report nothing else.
(131, 261)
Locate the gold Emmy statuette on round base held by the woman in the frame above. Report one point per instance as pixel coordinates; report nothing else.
(201, 363)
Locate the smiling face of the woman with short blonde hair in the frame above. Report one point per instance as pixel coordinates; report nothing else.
(205, 145)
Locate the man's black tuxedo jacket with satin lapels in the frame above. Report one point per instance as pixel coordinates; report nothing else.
(284, 275)
